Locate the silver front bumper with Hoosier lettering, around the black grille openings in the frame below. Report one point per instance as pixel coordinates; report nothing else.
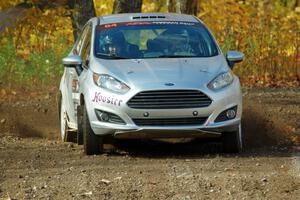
(221, 100)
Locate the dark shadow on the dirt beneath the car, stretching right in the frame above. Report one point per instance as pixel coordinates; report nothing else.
(193, 149)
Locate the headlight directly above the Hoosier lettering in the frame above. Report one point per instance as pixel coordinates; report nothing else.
(110, 83)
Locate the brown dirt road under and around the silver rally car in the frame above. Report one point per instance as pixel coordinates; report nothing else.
(34, 164)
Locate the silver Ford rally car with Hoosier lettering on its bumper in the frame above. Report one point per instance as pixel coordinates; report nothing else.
(149, 75)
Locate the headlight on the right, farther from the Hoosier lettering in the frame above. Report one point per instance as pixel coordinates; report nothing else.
(221, 81)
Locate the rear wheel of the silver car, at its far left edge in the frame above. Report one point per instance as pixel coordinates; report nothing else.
(66, 135)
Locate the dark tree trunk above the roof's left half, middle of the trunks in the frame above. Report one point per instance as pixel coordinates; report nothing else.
(127, 6)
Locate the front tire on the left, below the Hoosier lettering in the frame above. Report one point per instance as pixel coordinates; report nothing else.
(93, 144)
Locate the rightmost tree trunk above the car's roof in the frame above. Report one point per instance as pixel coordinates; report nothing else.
(187, 7)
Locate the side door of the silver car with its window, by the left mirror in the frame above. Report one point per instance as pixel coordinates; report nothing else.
(71, 96)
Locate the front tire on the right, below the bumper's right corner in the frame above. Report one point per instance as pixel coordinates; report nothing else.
(233, 141)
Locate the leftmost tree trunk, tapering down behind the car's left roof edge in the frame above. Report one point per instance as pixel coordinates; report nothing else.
(82, 11)
